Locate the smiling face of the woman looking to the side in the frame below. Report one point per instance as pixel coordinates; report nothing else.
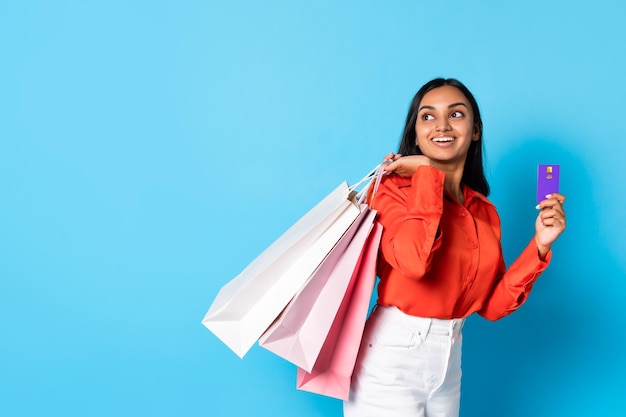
(445, 125)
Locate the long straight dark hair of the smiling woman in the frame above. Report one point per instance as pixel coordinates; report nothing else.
(473, 172)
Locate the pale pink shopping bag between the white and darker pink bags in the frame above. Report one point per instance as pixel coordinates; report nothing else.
(300, 331)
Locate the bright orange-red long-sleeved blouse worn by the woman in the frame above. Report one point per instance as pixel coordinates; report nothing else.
(441, 259)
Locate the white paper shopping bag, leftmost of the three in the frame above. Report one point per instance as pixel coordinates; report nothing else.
(248, 304)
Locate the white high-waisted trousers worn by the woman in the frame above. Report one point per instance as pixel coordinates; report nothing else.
(407, 366)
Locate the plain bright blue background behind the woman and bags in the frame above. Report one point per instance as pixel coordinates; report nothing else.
(149, 150)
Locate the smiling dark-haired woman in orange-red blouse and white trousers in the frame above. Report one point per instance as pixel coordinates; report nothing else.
(440, 260)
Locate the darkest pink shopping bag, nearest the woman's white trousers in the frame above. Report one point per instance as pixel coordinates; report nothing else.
(332, 372)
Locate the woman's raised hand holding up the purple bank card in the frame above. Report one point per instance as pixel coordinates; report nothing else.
(550, 222)
